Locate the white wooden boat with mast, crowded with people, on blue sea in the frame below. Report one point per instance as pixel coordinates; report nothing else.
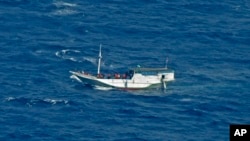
(133, 79)
